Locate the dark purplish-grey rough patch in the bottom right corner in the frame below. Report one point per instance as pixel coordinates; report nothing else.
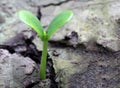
(103, 70)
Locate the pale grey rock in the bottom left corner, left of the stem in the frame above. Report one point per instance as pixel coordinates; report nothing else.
(14, 69)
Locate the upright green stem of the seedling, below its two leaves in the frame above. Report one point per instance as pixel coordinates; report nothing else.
(43, 60)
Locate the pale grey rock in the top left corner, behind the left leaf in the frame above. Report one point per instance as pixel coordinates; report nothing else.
(12, 25)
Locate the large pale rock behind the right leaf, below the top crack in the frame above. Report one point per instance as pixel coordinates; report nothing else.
(92, 20)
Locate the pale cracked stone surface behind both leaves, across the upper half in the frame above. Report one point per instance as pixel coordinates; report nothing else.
(94, 20)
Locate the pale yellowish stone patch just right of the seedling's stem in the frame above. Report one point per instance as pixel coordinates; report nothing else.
(66, 64)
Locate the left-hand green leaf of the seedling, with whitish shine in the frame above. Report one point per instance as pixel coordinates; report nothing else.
(31, 20)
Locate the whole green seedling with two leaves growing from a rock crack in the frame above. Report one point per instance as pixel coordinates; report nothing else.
(31, 20)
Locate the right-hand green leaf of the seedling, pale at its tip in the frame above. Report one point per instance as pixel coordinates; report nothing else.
(58, 22)
